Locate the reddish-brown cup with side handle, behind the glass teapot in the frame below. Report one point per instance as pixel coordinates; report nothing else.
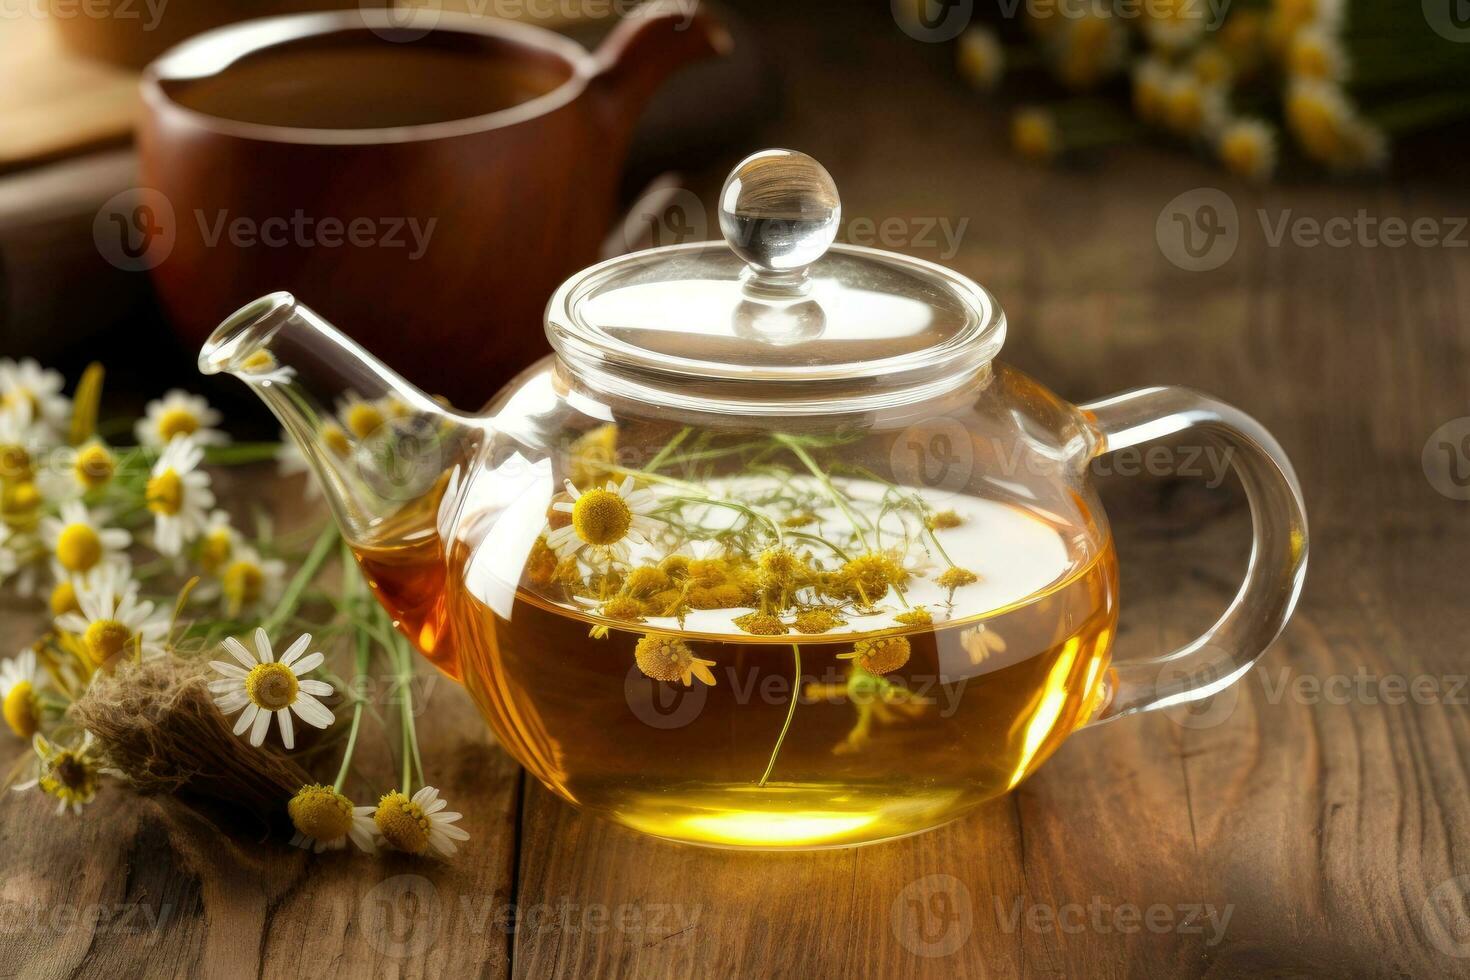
(426, 181)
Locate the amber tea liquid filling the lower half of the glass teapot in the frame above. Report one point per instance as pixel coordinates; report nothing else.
(986, 697)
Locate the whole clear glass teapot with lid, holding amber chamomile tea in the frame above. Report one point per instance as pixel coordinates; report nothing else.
(772, 552)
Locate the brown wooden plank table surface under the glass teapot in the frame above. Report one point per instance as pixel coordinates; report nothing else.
(1315, 821)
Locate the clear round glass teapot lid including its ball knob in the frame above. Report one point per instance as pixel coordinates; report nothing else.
(777, 317)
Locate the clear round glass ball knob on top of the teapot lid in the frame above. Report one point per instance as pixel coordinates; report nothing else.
(780, 211)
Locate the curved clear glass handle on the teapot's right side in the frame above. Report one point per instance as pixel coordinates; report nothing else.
(1277, 569)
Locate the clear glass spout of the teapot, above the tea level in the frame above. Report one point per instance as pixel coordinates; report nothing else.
(381, 449)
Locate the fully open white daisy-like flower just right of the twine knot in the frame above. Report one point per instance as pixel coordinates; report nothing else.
(267, 687)
